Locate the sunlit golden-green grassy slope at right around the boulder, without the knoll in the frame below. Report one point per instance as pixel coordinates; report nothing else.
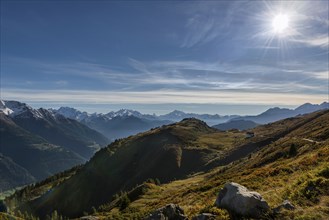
(274, 171)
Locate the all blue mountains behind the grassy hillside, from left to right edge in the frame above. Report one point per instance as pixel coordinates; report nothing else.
(29, 137)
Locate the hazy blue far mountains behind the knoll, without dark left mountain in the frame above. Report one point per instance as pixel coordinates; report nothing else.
(125, 122)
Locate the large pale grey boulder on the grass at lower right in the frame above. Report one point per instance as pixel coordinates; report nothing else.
(240, 202)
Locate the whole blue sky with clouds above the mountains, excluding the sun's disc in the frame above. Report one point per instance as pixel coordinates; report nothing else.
(197, 56)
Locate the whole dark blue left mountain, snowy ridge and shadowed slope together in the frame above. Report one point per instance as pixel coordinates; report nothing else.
(38, 143)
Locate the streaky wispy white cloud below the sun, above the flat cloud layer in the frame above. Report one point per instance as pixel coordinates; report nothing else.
(218, 76)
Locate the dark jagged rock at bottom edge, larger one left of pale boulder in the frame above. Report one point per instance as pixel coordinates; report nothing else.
(168, 212)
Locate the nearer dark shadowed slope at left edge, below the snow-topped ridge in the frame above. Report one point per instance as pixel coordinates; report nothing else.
(31, 153)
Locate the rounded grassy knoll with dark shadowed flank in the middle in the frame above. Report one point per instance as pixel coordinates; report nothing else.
(166, 153)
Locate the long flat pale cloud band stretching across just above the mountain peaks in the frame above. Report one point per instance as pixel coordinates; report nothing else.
(160, 97)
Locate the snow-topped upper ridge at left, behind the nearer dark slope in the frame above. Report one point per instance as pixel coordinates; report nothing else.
(55, 128)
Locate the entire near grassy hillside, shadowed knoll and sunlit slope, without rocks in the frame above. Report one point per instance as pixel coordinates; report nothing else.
(288, 159)
